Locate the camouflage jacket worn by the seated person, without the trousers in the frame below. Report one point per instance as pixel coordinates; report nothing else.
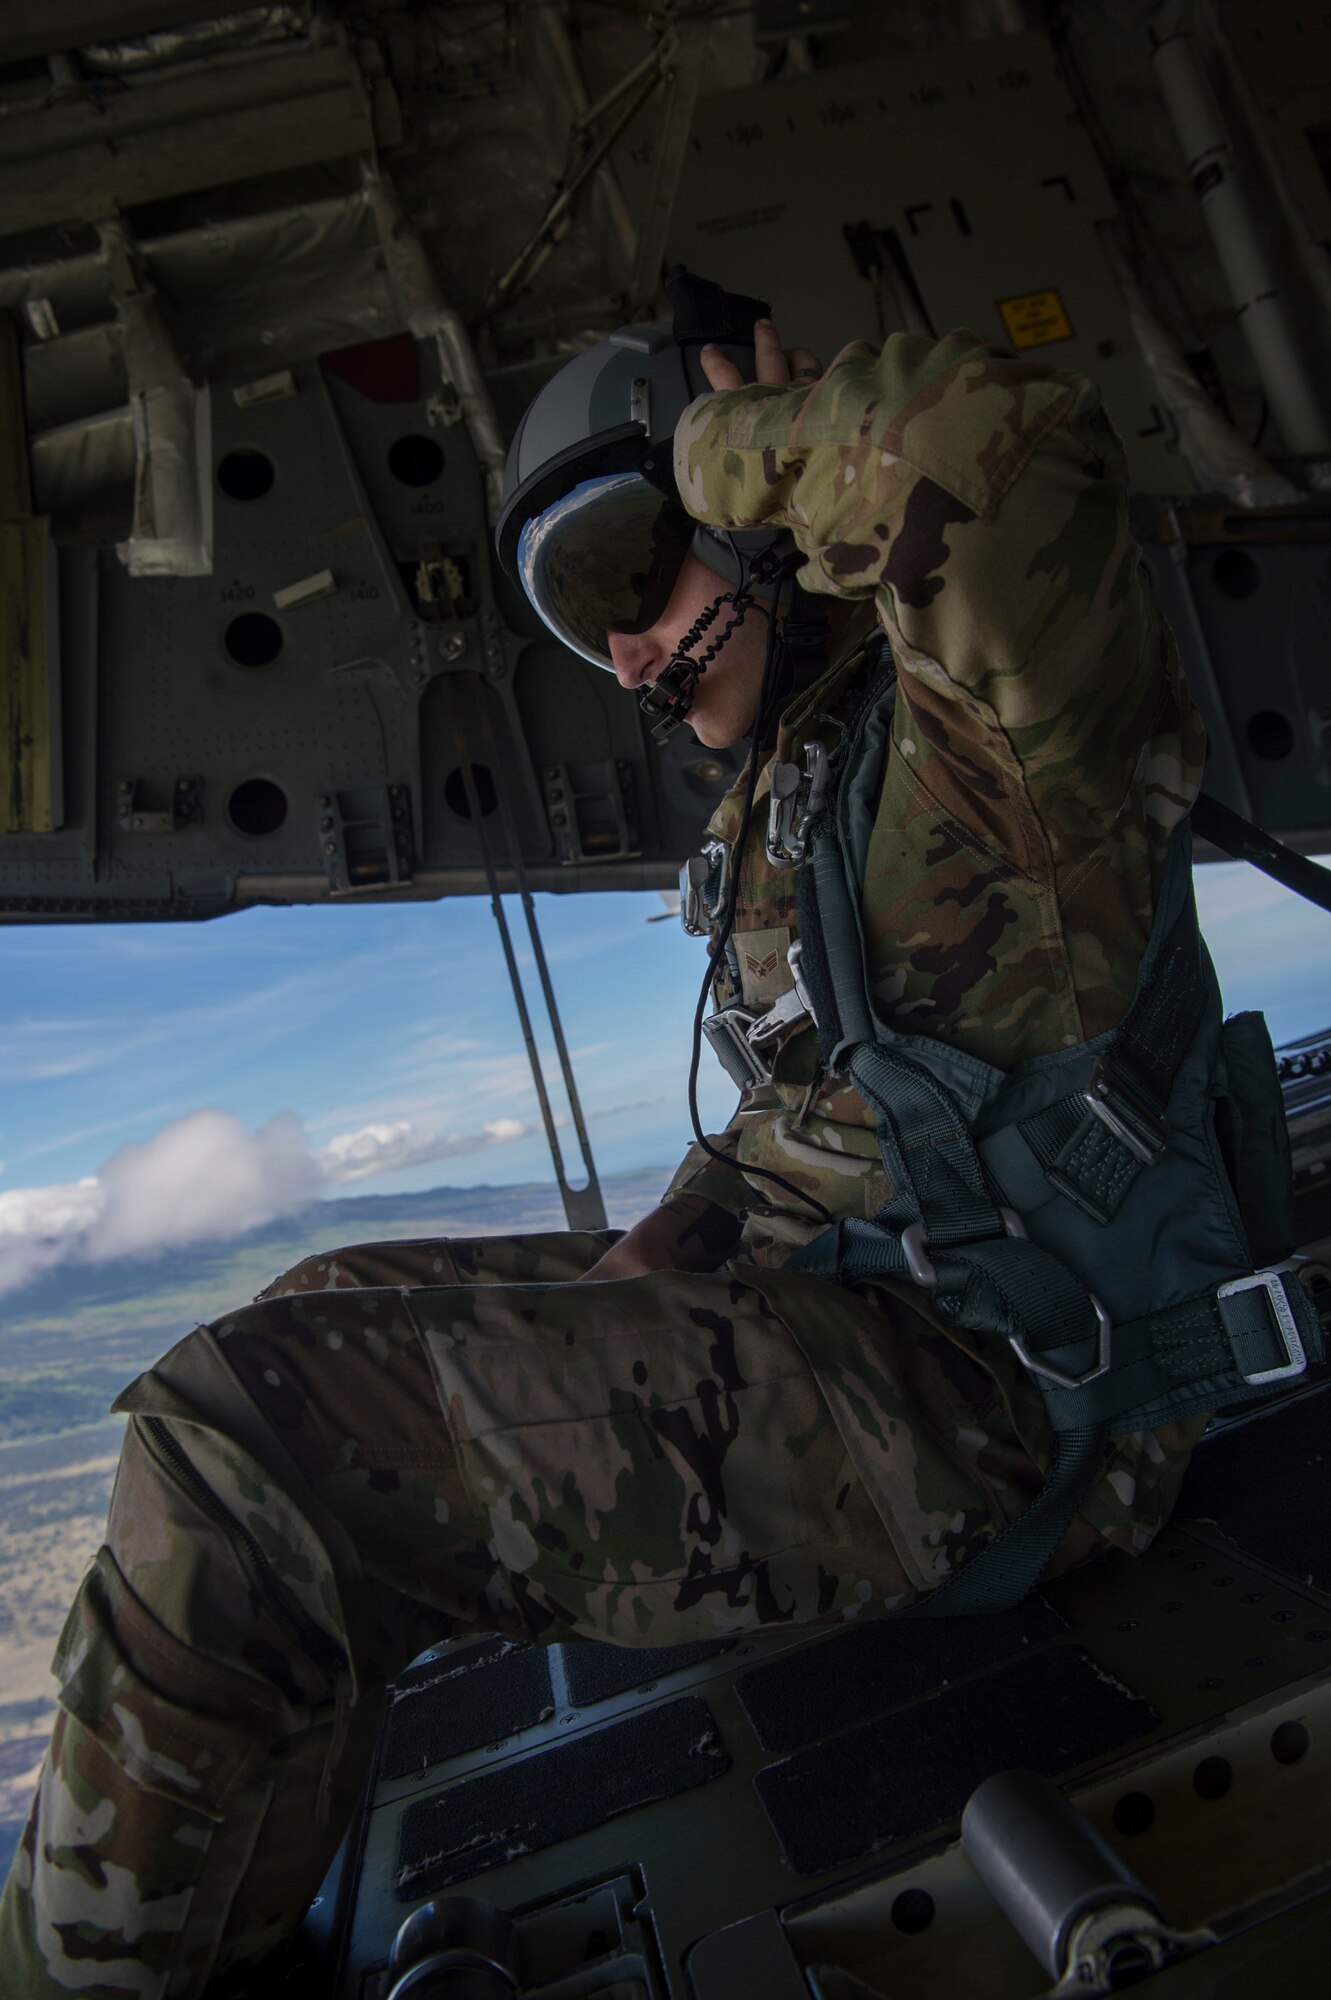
(1044, 741)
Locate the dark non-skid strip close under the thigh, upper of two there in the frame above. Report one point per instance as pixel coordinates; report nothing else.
(826, 1689)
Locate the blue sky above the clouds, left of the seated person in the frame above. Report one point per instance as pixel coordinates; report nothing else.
(345, 1017)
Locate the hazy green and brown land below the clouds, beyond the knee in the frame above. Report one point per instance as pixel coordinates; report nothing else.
(73, 1339)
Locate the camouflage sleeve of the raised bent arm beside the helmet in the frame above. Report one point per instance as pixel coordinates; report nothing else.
(982, 503)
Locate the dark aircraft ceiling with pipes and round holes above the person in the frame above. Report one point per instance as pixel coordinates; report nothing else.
(281, 281)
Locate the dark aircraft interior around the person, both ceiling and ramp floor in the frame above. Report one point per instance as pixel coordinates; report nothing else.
(275, 287)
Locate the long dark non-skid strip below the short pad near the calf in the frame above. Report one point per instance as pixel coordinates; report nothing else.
(557, 1795)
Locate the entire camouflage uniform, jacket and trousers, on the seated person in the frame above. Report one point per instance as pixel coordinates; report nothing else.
(417, 1439)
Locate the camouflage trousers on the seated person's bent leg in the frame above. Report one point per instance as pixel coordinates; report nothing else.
(409, 1441)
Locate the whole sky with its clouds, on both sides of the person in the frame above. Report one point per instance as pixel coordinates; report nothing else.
(167, 1085)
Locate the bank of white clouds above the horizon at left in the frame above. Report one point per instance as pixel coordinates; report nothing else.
(209, 1179)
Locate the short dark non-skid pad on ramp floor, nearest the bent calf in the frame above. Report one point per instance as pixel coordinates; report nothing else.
(465, 1701)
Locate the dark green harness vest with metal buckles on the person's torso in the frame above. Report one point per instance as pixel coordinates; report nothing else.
(1118, 1213)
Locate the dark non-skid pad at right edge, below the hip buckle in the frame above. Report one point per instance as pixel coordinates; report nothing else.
(1264, 1487)
